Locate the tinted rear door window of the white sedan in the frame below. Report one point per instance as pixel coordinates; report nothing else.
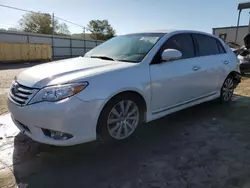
(206, 45)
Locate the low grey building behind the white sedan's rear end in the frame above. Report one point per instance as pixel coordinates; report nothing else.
(228, 33)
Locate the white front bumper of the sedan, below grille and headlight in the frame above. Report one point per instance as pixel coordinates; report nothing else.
(70, 115)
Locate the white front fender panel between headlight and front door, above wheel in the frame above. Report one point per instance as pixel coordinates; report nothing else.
(105, 86)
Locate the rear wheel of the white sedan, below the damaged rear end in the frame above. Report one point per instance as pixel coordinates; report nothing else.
(227, 90)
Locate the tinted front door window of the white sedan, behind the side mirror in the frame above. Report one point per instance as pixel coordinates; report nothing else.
(183, 43)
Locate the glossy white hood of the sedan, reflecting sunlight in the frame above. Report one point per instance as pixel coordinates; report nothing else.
(65, 71)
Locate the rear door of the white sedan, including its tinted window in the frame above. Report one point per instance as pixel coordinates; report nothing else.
(212, 60)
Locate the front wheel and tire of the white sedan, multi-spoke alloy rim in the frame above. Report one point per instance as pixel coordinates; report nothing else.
(120, 118)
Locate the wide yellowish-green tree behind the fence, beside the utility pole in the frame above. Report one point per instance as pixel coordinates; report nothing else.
(42, 23)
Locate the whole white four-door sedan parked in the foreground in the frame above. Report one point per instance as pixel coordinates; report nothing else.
(125, 81)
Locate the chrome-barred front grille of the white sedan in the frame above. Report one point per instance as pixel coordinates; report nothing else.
(20, 94)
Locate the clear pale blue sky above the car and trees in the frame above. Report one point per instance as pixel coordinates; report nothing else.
(128, 16)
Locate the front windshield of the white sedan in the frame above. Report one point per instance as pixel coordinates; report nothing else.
(129, 48)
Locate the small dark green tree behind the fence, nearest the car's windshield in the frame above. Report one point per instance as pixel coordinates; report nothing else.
(101, 29)
